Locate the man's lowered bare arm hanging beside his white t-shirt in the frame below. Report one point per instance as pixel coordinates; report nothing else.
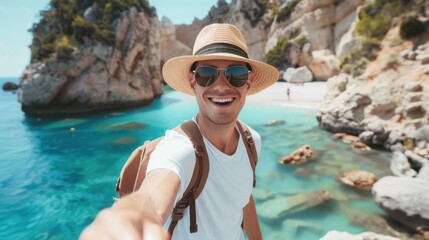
(250, 221)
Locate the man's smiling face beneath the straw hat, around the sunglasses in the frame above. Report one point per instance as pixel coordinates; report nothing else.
(220, 103)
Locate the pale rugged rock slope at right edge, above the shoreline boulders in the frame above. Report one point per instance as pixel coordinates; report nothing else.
(389, 101)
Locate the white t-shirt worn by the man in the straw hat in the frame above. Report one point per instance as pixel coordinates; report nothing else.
(219, 208)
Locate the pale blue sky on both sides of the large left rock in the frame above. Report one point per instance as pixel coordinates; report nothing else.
(17, 16)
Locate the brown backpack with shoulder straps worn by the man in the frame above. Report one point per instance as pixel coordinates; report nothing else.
(134, 170)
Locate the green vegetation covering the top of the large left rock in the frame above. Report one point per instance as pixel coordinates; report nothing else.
(67, 23)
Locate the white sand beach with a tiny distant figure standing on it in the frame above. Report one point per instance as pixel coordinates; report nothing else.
(308, 95)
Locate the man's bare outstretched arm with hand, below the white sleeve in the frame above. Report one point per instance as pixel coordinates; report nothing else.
(140, 215)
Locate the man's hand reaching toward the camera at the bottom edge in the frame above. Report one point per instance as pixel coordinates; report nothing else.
(113, 223)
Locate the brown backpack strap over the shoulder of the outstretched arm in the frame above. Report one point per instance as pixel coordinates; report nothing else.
(198, 180)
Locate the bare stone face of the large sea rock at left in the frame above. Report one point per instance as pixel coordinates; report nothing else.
(99, 76)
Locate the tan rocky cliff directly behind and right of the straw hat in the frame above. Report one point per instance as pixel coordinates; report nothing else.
(309, 26)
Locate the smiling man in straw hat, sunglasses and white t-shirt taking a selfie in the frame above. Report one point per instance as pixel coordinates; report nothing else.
(220, 75)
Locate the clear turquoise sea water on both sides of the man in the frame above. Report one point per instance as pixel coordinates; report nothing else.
(53, 181)
